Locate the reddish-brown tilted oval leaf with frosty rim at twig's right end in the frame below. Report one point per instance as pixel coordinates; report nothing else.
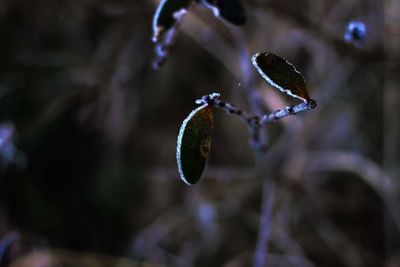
(281, 74)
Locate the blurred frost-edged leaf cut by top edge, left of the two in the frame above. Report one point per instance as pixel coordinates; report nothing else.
(167, 15)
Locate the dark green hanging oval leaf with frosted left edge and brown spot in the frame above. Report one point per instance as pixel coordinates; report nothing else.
(194, 144)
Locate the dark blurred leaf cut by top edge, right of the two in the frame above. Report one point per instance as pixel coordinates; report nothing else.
(230, 10)
